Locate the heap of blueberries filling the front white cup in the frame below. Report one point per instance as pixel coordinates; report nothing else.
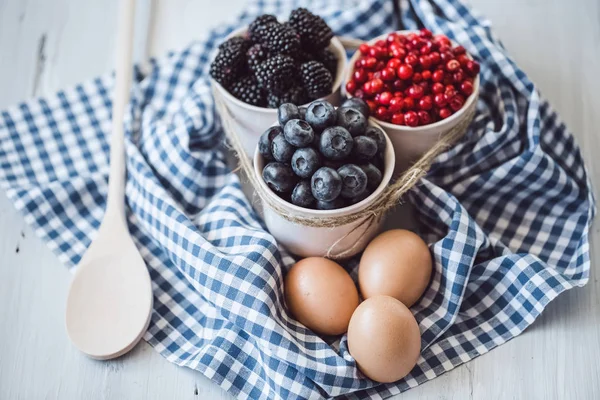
(322, 158)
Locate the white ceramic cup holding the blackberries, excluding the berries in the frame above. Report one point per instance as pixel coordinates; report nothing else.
(251, 121)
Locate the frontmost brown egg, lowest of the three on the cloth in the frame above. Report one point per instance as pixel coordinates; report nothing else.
(384, 339)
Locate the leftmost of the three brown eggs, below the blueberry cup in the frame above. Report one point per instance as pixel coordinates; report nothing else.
(321, 295)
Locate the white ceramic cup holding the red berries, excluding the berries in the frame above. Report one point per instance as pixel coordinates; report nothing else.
(411, 143)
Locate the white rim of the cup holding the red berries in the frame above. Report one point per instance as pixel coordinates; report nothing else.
(388, 125)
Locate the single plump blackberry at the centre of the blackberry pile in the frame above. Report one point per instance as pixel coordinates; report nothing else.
(274, 73)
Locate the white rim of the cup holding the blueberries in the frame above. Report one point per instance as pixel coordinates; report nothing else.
(390, 162)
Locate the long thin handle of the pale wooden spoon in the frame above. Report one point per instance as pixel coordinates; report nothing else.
(115, 203)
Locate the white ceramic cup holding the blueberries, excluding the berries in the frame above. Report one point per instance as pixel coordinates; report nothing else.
(306, 241)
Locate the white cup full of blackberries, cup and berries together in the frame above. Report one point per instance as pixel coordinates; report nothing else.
(269, 63)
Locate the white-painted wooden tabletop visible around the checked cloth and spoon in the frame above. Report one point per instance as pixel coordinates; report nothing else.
(49, 44)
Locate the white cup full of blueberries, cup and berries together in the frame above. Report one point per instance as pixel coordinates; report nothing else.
(322, 161)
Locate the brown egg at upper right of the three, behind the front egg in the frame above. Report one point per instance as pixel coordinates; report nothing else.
(396, 263)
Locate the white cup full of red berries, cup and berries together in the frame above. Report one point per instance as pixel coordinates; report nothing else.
(418, 86)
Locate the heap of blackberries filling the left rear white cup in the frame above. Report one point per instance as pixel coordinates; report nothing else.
(277, 63)
